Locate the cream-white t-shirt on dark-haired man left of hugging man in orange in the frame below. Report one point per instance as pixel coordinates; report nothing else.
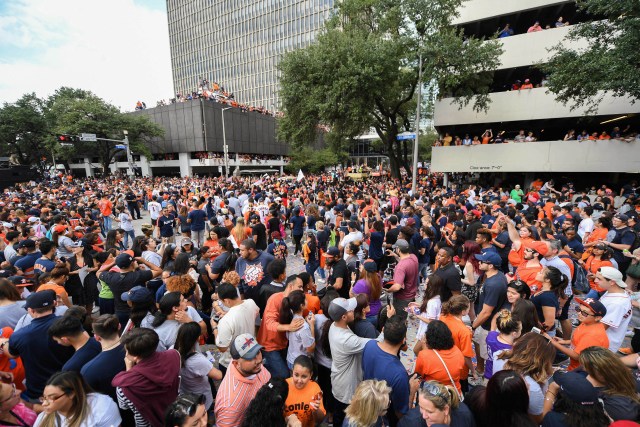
(239, 320)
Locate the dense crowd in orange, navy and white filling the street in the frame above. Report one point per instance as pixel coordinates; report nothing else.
(196, 316)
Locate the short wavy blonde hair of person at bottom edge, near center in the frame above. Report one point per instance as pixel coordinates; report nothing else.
(368, 404)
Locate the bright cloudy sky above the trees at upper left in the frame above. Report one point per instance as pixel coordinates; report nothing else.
(118, 49)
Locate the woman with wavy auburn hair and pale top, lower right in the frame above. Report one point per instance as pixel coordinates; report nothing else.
(531, 357)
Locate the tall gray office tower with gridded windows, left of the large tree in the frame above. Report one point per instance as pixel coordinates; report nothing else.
(239, 43)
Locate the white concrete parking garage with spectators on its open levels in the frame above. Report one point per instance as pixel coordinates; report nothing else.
(522, 104)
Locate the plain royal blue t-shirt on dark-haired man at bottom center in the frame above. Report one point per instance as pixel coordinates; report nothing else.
(380, 365)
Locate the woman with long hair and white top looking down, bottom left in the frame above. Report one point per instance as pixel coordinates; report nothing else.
(67, 400)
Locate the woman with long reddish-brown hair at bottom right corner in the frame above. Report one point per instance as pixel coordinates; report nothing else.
(614, 382)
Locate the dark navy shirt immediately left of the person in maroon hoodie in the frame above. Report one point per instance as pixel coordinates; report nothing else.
(99, 371)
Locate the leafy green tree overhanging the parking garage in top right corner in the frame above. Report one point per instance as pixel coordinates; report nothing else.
(609, 60)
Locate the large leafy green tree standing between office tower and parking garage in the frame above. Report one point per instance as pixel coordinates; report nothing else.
(362, 71)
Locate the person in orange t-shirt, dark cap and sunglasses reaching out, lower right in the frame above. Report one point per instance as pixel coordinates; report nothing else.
(590, 332)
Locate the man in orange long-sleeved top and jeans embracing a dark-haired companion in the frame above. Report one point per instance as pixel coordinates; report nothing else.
(272, 335)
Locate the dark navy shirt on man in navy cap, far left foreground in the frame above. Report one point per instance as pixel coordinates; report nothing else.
(41, 355)
